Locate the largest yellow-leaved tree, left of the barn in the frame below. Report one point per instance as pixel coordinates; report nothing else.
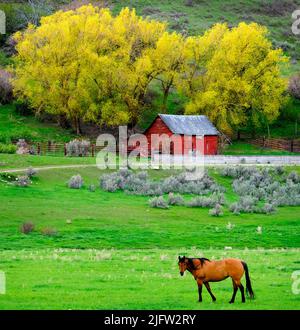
(86, 64)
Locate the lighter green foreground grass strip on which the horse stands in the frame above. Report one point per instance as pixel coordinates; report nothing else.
(138, 279)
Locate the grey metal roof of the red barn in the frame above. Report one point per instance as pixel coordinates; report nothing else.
(189, 125)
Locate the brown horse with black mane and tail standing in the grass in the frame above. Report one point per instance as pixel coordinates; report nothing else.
(205, 271)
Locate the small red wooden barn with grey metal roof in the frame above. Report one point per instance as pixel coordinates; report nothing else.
(178, 127)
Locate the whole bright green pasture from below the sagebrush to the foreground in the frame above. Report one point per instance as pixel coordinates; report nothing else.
(117, 253)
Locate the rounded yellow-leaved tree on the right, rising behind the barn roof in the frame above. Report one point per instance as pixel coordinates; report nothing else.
(241, 80)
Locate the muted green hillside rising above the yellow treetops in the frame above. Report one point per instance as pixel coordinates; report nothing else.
(195, 16)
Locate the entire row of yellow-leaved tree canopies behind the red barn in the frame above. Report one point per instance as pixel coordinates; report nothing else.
(86, 64)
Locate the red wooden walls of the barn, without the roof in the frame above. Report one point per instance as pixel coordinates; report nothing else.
(159, 127)
